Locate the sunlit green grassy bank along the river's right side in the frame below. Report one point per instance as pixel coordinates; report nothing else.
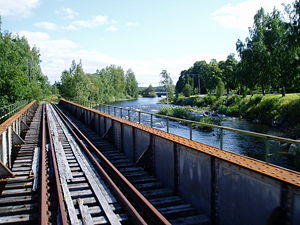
(274, 110)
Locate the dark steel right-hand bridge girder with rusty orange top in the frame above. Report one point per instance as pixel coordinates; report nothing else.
(219, 183)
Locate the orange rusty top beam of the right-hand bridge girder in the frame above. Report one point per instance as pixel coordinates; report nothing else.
(273, 171)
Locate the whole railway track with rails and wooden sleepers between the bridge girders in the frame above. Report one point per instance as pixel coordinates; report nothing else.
(65, 174)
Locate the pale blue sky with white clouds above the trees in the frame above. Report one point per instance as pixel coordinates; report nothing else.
(142, 35)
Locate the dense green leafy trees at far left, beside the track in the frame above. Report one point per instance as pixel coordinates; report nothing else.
(20, 73)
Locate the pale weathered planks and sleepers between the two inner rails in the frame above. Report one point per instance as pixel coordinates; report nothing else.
(87, 199)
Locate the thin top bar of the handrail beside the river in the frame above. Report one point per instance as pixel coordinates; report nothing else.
(250, 133)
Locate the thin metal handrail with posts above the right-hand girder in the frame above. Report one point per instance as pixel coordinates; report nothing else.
(136, 116)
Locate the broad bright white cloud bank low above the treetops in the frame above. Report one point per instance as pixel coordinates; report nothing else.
(57, 55)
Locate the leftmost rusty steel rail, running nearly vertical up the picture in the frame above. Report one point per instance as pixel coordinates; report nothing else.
(44, 216)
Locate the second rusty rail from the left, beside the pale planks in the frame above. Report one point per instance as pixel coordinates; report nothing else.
(61, 204)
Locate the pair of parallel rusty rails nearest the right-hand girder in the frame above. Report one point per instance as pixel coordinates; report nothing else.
(149, 211)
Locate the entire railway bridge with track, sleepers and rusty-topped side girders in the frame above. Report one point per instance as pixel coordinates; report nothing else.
(70, 164)
